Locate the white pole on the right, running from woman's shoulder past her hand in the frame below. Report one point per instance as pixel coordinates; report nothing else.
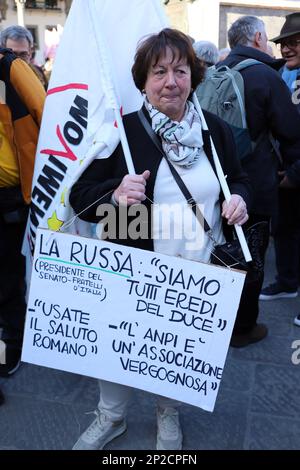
(223, 183)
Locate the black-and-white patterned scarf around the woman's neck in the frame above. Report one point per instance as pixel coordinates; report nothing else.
(182, 141)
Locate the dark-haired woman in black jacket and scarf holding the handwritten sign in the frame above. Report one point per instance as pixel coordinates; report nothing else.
(166, 134)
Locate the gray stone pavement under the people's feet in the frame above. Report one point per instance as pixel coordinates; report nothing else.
(258, 406)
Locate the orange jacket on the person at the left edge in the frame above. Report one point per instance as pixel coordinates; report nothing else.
(22, 113)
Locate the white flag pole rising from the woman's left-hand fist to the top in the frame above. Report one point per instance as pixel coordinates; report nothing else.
(108, 85)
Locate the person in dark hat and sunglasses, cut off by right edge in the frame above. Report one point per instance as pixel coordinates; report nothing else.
(287, 229)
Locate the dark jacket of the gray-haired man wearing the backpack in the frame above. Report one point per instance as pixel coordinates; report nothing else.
(268, 108)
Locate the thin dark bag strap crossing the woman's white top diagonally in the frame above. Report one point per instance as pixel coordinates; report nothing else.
(190, 200)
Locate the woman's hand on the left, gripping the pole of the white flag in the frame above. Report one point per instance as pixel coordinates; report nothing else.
(132, 189)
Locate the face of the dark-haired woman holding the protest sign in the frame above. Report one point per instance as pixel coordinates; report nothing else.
(168, 85)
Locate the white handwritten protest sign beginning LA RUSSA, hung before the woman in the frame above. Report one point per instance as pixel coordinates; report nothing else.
(130, 316)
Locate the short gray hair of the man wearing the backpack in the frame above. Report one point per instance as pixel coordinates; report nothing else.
(243, 30)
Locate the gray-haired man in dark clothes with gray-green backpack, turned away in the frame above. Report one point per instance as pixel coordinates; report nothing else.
(269, 119)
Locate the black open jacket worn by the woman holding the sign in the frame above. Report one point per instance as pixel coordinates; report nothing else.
(103, 176)
